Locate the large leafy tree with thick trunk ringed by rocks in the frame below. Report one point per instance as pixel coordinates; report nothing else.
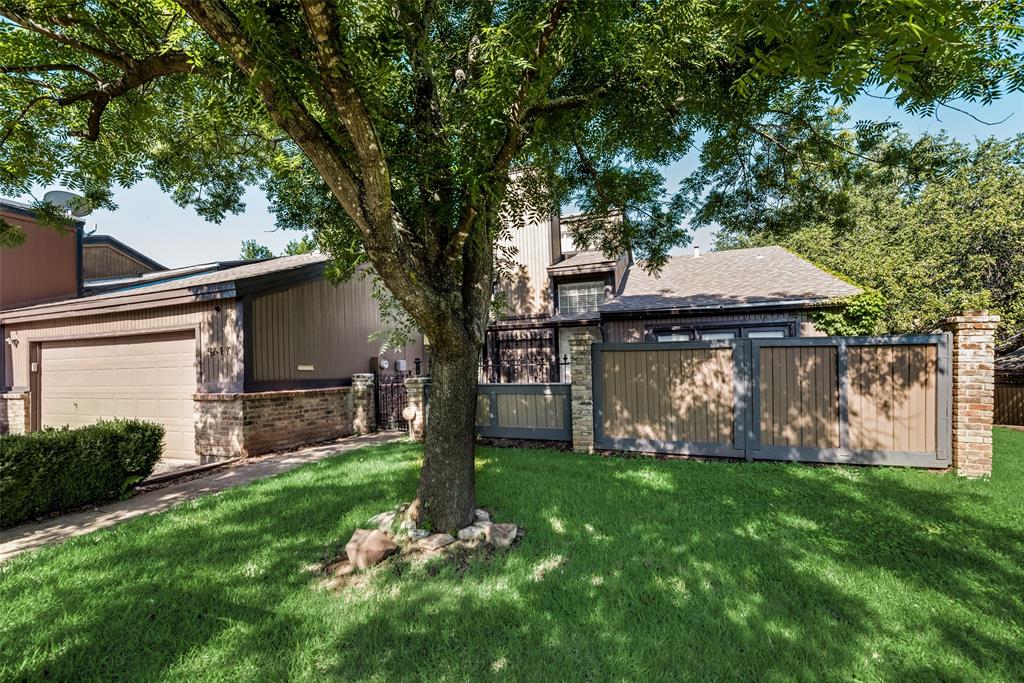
(392, 127)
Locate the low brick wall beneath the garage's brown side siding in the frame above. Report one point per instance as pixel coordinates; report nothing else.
(249, 424)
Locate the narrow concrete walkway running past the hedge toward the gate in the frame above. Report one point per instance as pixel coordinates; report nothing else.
(57, 530)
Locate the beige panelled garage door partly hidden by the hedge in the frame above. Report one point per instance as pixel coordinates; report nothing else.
(147, 377)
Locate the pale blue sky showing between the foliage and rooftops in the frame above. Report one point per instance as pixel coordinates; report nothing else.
(151, 223)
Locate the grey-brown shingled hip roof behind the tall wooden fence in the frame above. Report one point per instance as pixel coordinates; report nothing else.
(740, 278)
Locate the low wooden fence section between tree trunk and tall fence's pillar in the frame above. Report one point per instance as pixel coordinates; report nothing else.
(525, 411)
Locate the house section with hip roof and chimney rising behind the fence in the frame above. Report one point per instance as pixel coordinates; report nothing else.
(556, 292)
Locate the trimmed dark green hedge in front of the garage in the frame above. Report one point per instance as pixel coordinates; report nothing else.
(62, 469)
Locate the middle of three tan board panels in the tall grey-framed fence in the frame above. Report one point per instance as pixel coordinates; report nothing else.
(799, 397)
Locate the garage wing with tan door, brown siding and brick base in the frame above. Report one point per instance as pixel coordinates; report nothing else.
(233, 359)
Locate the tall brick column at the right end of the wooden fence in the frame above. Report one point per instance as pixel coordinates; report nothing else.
(974, 380)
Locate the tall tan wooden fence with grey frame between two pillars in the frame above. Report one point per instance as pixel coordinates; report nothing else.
(836, 400)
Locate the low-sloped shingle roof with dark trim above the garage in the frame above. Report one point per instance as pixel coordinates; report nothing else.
(205, 286)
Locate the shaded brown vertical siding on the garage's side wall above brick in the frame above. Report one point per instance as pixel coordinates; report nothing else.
(317, 324)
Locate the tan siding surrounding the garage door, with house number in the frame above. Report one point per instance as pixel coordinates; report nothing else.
(221, 337)
